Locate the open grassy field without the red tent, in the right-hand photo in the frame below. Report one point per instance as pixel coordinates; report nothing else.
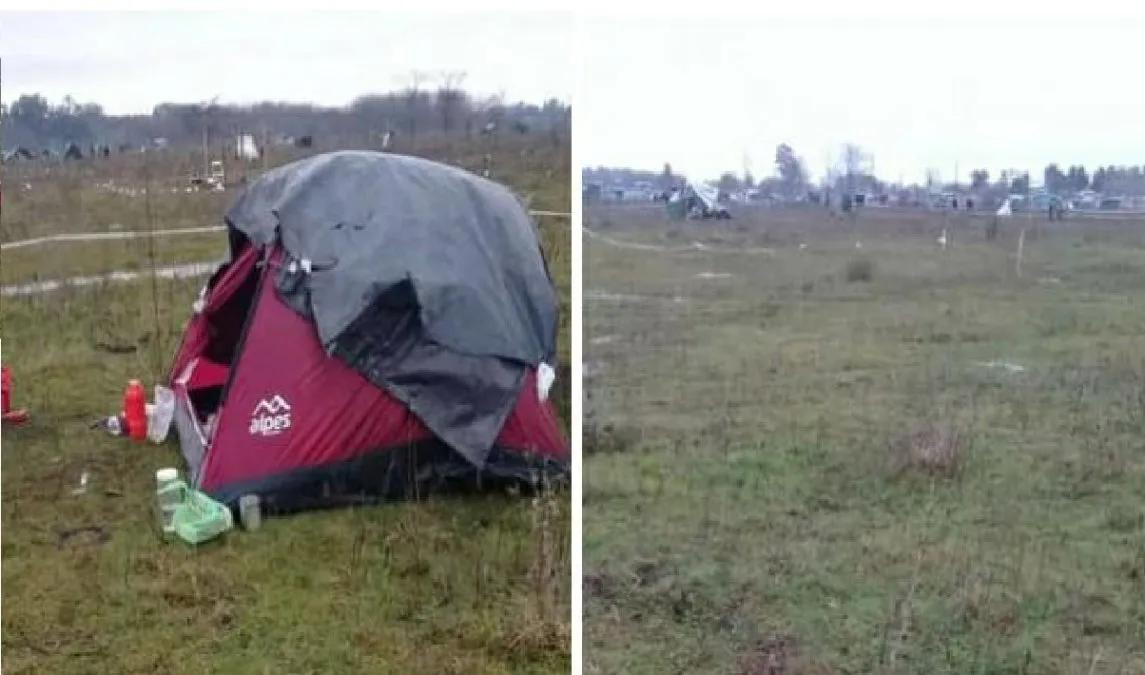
(820, 446)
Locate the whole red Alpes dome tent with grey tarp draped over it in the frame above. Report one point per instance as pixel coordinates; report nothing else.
(382, 374)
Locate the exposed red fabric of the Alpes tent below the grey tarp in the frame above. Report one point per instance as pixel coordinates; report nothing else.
(264, 408)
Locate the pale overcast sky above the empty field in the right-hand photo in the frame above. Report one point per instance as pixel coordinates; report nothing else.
(706, 97)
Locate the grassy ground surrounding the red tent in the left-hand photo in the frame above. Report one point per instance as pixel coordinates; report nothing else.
(452, 585)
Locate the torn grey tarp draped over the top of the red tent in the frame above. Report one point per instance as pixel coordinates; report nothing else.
(425, 279)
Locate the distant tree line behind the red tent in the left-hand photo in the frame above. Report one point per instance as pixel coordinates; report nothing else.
(31, 122)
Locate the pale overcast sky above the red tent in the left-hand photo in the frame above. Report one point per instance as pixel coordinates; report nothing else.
(130, 62)
